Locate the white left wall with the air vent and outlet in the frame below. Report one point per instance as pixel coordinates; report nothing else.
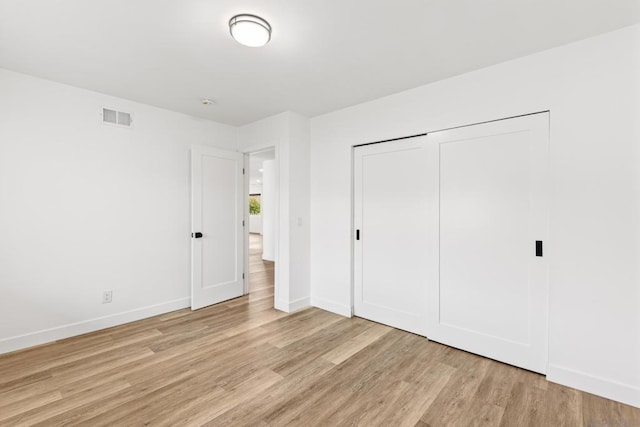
(86, 207)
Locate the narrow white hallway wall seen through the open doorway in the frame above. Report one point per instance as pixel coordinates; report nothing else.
(269, 200)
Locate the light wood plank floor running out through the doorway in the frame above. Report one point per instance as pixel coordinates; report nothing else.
(243, 363)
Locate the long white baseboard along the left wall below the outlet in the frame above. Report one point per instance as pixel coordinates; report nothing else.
(72, 329)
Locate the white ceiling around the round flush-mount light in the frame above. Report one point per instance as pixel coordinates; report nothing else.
(324, 54)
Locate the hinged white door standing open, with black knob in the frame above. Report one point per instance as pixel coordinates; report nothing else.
(217, 252)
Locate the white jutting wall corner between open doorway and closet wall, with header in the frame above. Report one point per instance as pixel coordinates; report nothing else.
(289, 133)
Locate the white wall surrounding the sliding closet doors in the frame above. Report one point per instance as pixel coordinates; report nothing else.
(593, 91)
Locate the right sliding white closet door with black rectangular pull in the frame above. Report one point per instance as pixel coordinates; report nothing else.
(488, 288)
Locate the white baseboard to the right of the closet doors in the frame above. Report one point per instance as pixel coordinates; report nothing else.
(614, 390)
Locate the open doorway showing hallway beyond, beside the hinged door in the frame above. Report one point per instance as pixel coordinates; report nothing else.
(262, 199)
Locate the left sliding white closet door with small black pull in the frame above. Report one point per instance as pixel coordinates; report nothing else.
(390, 204)
